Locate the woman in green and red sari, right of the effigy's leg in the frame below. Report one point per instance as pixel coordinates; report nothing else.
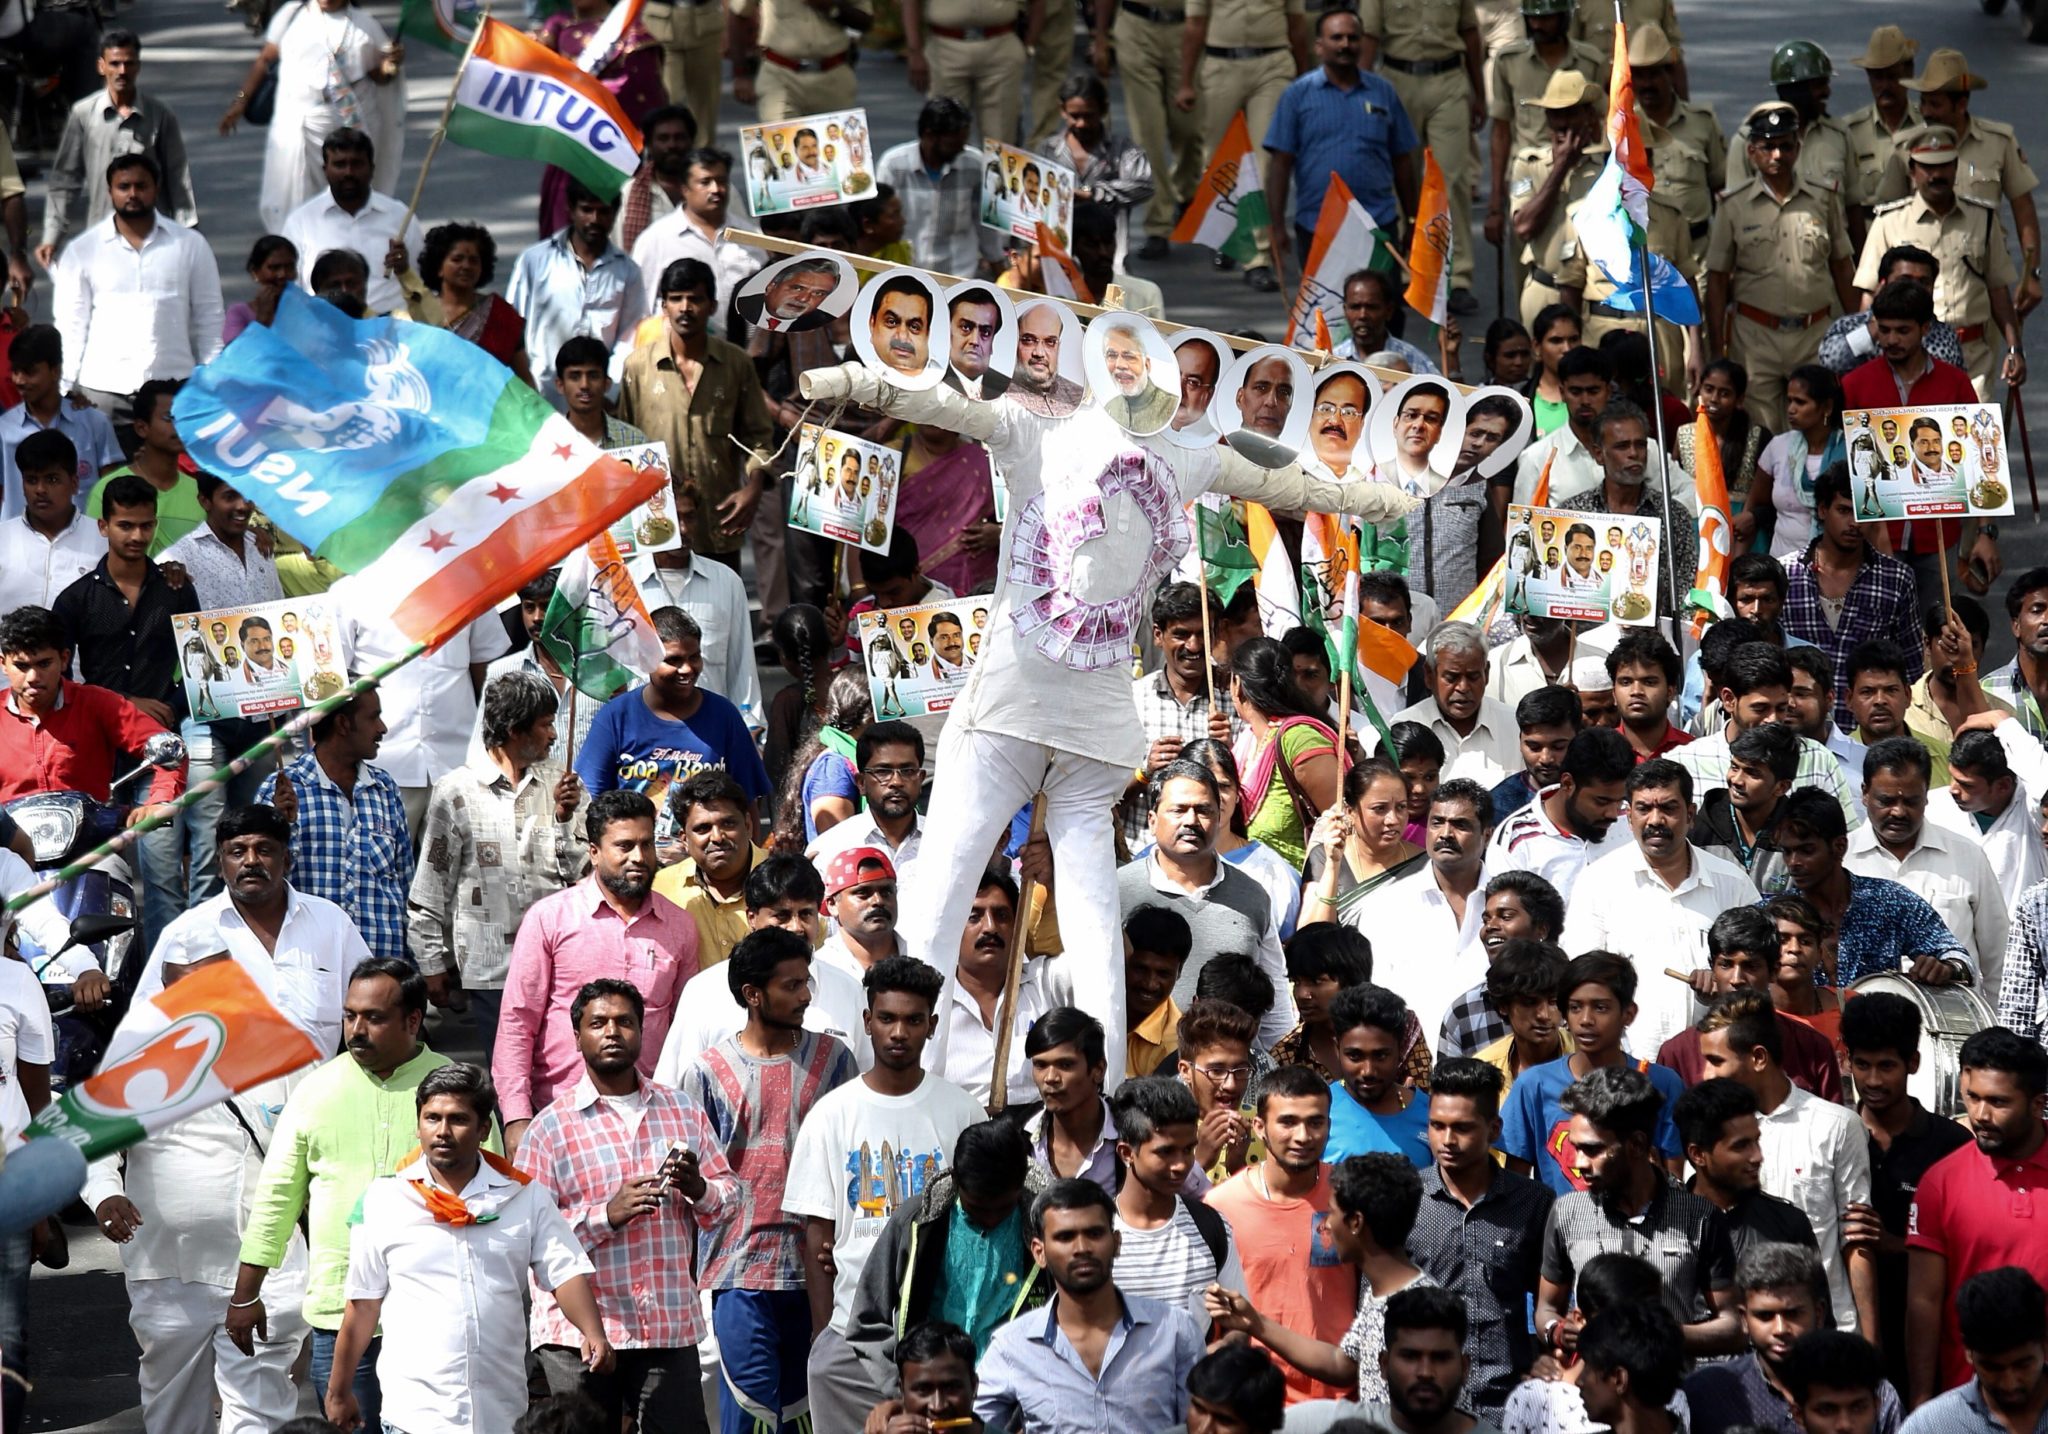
(1287, 753)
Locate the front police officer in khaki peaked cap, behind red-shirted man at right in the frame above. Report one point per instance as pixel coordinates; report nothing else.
(1975, 288)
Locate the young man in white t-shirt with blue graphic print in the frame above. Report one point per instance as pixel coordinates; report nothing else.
(865, 1152)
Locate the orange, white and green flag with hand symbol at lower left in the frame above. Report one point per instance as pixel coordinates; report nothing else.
(177, 1054)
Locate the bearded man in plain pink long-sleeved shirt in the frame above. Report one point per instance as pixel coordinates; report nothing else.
(611, 925)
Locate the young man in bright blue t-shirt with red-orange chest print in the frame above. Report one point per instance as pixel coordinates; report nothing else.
(1598, 997)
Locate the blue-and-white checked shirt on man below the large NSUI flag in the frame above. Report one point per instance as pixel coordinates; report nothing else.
(355, 853)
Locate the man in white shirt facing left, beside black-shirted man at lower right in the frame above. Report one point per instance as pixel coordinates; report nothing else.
(1816, 1154)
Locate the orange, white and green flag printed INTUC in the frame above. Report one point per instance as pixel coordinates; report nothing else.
(519, 99)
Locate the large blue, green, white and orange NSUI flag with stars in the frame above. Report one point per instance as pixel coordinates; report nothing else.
(402, 454)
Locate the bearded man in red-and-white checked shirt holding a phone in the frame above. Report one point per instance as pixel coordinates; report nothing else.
(638, 1173)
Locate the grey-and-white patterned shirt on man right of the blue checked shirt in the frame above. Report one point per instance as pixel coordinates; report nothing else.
(490, 851)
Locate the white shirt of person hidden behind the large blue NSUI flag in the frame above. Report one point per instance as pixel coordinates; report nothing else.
(431, 704)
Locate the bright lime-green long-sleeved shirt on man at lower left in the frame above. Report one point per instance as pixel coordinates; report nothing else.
(341, 1130)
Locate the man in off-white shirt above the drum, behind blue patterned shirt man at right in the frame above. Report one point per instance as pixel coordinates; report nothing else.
(1943, 868)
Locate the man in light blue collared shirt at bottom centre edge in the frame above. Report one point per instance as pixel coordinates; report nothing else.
(1031, 1378)
